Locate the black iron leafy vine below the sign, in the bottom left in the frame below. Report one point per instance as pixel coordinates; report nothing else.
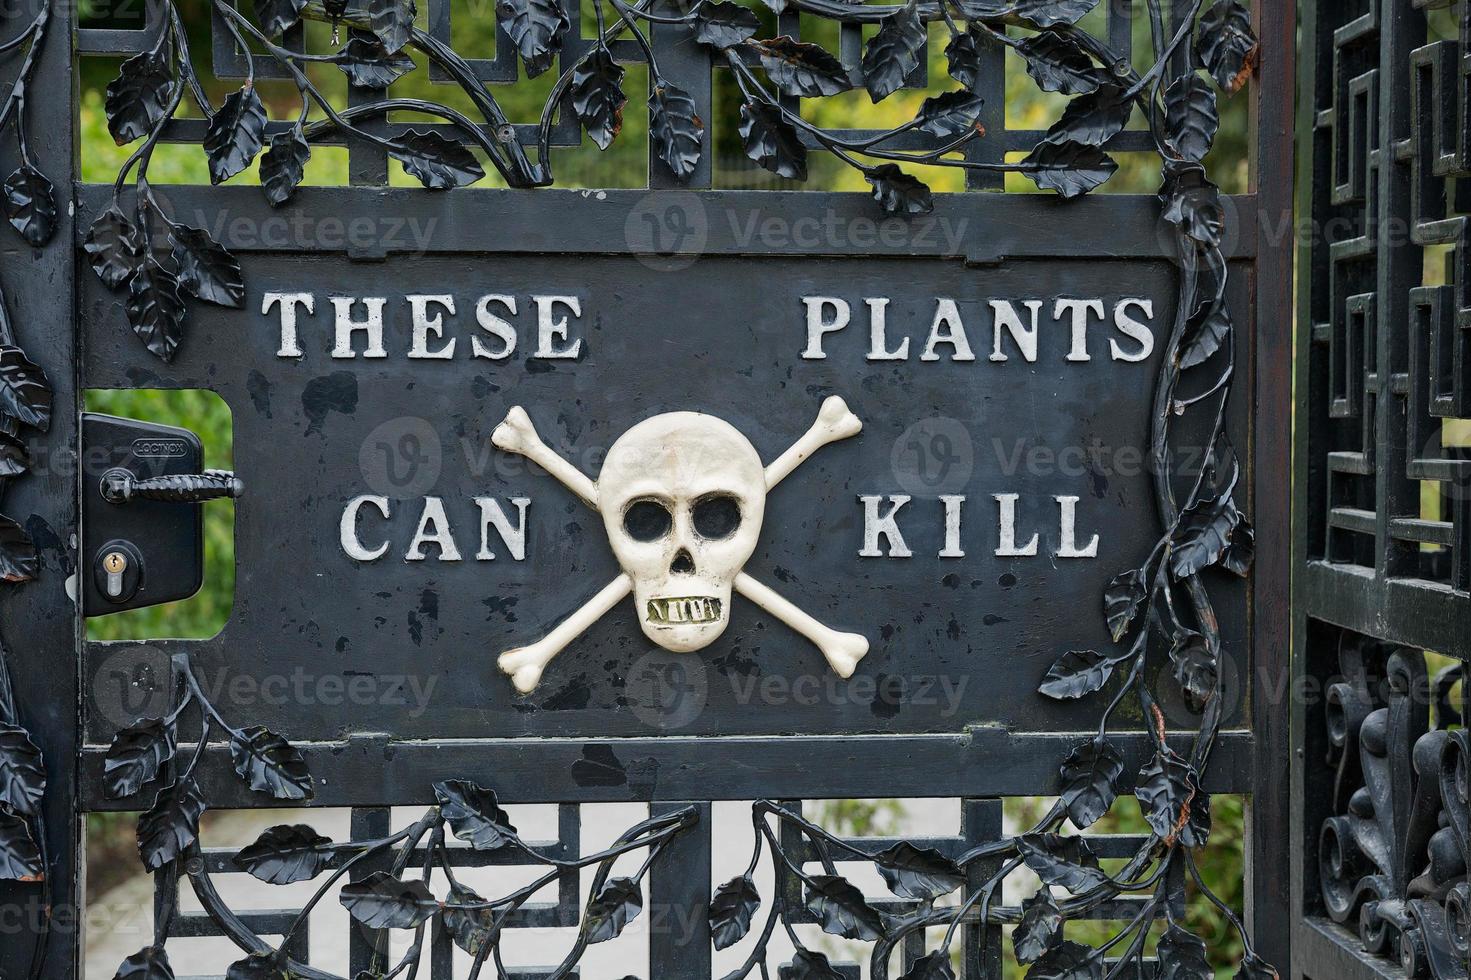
(146, 754)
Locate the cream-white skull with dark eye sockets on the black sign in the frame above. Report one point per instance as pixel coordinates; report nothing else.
(683, 498)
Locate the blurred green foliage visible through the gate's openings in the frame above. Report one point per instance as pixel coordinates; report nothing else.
(624, 166)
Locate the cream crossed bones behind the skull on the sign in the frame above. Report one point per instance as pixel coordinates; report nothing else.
(526, 664)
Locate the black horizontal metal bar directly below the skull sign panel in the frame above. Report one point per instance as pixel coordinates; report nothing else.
(980, 763)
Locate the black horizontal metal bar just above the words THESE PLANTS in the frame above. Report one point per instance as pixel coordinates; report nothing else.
(988, 227)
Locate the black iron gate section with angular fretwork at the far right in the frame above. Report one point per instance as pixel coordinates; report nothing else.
(1385, 495)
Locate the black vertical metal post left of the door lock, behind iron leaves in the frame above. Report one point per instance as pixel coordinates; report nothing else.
(40, 628)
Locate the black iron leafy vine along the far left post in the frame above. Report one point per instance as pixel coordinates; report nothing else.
(26, 407)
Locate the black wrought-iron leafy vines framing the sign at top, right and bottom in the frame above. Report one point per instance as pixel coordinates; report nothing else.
(1158, 611)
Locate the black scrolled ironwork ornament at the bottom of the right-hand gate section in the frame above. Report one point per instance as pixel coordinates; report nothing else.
(1394, 857)
